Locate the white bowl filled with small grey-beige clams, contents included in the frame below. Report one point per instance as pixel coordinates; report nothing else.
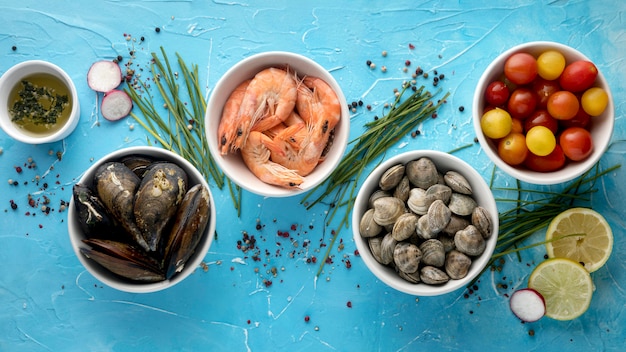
(425, 222)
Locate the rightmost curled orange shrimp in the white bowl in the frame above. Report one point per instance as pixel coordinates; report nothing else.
(320, 110)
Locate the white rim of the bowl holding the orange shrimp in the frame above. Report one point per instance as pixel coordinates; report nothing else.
(260, 61)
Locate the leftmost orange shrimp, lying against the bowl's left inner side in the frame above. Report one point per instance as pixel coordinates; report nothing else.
(229, 128)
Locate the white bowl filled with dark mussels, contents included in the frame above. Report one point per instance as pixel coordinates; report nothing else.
(141, 219)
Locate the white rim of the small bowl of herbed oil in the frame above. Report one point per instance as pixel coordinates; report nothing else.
(50, 68)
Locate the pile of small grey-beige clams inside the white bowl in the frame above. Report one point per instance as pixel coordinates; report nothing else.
(439, 217)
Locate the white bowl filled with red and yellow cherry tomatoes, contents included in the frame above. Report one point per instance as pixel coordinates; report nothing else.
(543, 112)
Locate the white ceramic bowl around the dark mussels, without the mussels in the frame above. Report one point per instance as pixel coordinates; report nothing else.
(107, 277)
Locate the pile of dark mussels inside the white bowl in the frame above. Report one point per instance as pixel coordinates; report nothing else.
(128, 200)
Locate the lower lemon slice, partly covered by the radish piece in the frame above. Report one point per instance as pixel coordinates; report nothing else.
(565, 285)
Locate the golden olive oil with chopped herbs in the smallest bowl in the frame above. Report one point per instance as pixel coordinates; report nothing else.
(40, 104)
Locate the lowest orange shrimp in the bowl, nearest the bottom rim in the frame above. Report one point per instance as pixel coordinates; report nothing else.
(256, 156)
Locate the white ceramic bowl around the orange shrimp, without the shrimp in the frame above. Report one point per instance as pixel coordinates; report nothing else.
(232, 164)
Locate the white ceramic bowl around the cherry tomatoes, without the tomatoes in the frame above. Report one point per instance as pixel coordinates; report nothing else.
(601, 130)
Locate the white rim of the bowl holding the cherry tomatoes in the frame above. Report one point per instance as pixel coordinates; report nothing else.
(542, 178)
